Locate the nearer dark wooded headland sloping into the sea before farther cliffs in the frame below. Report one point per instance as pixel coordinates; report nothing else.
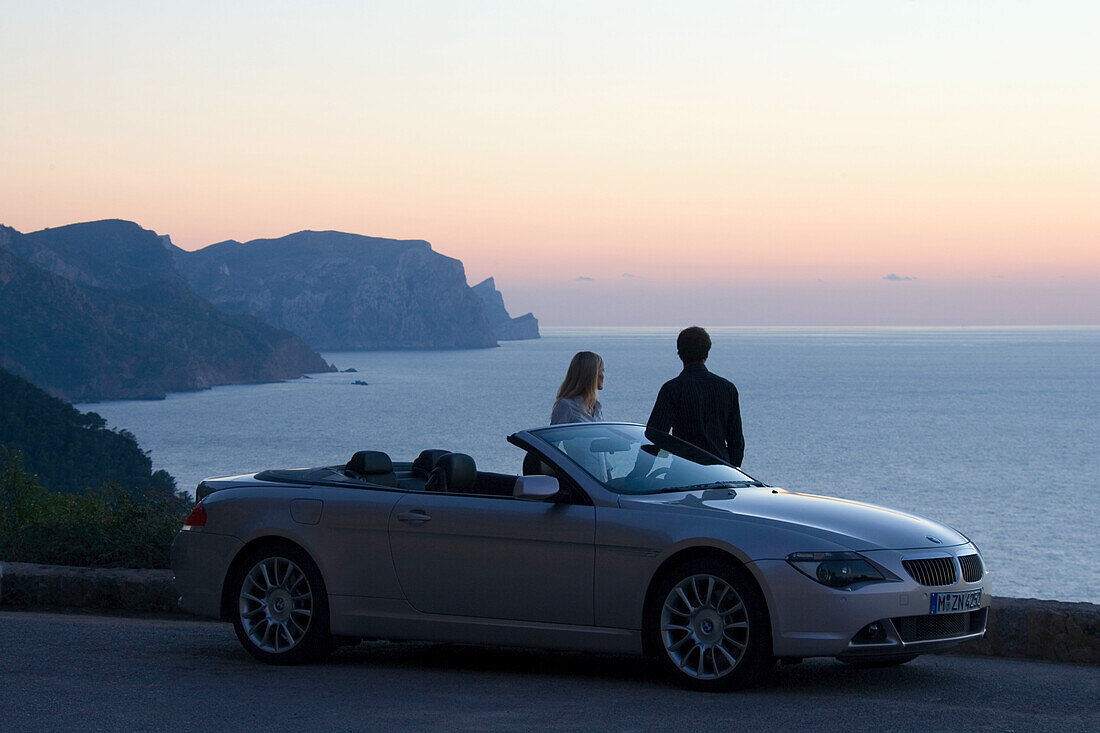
(84, 344)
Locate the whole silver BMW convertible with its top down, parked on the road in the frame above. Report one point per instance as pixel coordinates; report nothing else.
(613, 540)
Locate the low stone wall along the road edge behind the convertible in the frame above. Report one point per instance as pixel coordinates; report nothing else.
(1019, 629)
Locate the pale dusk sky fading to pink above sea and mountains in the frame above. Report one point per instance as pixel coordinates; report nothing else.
(610, 163)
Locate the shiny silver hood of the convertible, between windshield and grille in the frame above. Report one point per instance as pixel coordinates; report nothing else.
(853, 524)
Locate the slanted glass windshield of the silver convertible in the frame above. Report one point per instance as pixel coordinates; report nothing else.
(629, 460)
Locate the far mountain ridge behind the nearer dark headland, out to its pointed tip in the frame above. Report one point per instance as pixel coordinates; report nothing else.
(338, 291)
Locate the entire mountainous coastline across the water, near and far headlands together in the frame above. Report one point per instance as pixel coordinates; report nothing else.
(137, 316)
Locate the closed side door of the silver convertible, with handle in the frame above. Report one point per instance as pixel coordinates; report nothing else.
(496, 557)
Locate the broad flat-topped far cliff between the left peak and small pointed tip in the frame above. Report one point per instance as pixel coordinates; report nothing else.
(345, 292)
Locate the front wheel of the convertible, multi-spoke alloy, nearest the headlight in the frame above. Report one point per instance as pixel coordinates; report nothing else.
(710, 626)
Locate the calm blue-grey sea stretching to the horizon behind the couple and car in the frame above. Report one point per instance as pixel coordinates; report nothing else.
(991, 431)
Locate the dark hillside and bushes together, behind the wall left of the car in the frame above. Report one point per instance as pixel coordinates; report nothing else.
(87, 496)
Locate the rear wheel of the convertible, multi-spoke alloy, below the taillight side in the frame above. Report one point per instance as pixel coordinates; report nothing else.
(281, 611)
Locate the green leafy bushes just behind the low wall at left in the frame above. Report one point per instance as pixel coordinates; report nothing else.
(109, 528)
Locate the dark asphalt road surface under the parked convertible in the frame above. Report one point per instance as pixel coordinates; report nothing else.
(61, 672)
